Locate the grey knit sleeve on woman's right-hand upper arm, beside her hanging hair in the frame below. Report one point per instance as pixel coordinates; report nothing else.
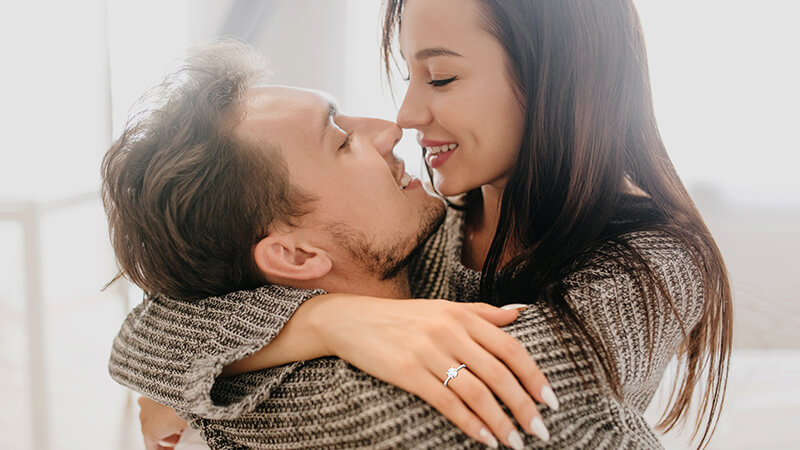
(641, 327)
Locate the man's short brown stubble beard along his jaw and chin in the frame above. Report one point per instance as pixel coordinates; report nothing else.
(386, 262)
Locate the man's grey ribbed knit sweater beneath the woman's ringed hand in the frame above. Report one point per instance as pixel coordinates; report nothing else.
(329, 403)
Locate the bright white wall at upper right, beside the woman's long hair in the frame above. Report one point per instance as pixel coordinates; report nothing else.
(725, 83)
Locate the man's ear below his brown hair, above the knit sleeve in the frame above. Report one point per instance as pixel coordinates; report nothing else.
(282, 256)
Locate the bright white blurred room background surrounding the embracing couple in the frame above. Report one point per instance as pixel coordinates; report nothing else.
(725, 81)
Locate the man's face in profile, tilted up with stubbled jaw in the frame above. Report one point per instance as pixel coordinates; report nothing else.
(347, 164)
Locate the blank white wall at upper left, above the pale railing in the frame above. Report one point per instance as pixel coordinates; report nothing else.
(53, 119)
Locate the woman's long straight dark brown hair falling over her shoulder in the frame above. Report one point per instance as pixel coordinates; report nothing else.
(580, 69)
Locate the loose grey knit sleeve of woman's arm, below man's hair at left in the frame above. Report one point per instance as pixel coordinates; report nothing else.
(174, 351)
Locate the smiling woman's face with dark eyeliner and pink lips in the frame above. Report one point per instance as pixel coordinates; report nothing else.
(460, 96)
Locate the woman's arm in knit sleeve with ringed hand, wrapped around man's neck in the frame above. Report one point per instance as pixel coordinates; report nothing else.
(405, 342)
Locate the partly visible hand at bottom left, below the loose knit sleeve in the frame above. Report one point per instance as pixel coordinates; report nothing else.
(161, 426)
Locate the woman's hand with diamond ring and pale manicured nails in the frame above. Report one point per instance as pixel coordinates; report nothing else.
(412, 343)
